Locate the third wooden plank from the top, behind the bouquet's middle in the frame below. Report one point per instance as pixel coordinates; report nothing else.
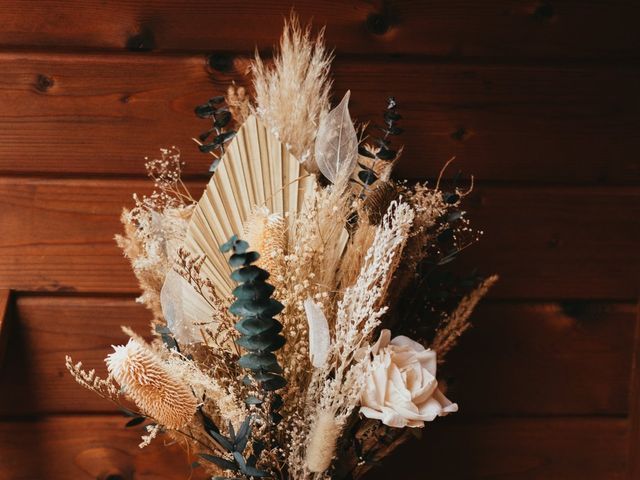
(544, 242)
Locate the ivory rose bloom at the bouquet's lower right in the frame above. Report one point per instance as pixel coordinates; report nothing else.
(401, 388)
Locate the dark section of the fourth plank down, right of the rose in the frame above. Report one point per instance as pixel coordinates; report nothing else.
(534, 359)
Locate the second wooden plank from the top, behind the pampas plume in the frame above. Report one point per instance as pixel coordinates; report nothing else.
(102, 114)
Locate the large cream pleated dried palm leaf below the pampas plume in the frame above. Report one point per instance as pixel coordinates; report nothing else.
(256, 171)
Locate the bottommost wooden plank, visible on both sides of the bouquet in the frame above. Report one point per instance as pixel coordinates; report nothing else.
(60, 448)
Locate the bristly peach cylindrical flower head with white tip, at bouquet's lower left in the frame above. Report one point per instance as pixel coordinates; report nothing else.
(150, 385)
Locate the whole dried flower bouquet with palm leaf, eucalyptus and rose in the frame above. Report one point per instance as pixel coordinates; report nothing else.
(275, 295)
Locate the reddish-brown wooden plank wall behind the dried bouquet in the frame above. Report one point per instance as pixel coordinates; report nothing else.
(538, 98)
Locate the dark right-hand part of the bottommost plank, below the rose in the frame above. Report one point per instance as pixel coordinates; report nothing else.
(522, 449)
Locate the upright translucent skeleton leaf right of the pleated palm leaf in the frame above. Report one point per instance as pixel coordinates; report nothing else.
(336, 147)
